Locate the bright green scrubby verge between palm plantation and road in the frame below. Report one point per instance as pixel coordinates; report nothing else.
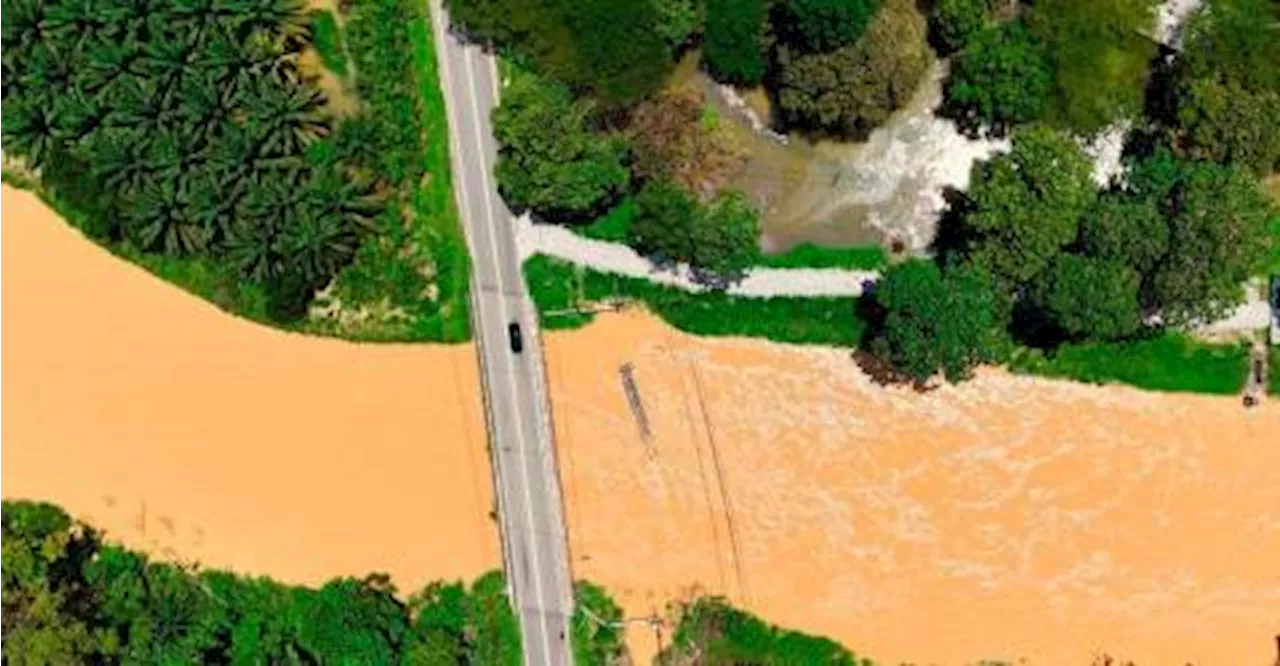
(417, 268)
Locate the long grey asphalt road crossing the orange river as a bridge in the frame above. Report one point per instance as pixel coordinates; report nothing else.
(518, 412)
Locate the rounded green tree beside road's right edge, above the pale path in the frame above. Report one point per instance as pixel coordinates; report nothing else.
(551, 162)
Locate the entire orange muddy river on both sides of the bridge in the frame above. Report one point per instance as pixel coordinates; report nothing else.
(1009, 518)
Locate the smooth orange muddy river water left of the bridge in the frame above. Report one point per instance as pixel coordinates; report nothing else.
(196, 436)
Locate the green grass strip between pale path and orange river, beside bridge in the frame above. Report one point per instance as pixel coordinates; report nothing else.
(560, 289)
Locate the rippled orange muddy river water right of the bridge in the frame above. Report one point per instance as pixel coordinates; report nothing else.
(1005, 519)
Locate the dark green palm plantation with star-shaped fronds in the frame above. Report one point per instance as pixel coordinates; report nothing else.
(195, 129)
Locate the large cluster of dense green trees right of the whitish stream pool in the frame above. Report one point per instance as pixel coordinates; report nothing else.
(1036, 254)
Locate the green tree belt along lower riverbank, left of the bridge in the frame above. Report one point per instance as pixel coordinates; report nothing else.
(72, 599)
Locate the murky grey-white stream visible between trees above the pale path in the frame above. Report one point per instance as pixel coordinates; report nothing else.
(892, 188)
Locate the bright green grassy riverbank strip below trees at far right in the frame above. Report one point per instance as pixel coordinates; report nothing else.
(1167, 363)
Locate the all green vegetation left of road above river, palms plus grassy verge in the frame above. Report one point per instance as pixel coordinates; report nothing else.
(191, 135)
